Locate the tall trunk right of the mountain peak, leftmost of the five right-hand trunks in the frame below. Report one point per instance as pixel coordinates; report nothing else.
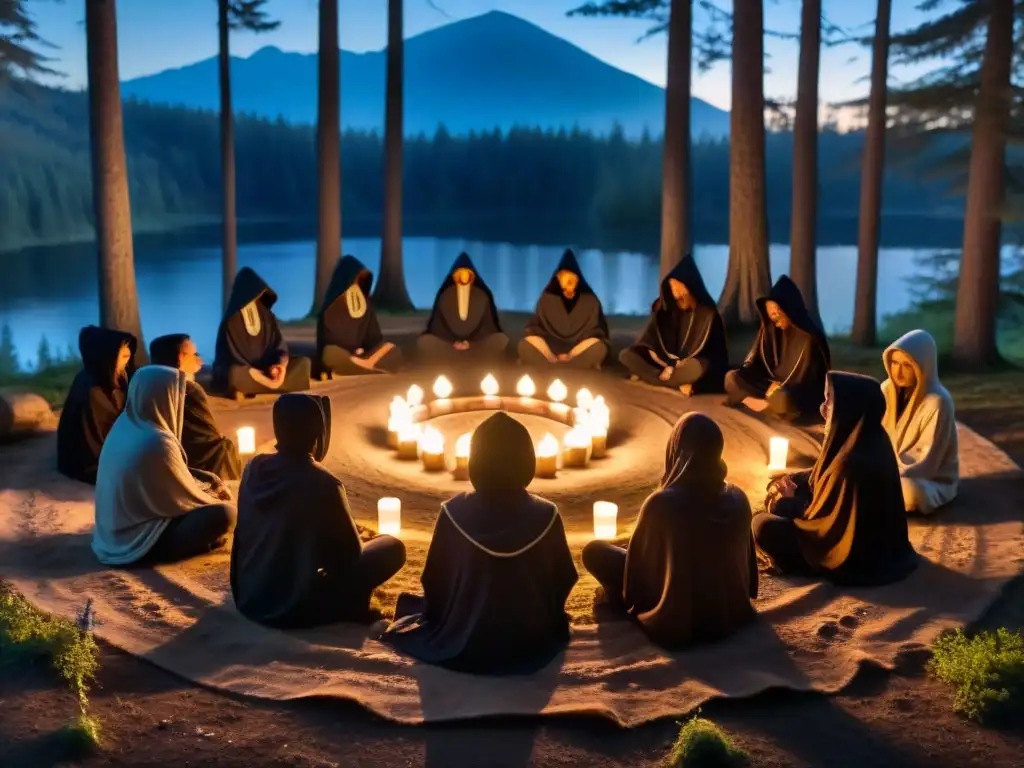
(676, 236)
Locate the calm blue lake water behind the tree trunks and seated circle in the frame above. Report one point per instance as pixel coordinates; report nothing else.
(52, 292)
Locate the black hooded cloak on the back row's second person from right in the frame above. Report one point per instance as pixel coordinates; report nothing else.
(673, 334)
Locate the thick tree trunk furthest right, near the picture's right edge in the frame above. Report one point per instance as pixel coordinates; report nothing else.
(978, 292)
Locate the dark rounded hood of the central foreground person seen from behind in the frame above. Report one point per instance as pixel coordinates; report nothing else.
(501, 455)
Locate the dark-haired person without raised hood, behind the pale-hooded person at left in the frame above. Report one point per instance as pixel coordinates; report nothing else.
(206, 449)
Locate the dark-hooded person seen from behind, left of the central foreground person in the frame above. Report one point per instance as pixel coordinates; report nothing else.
(297, 560)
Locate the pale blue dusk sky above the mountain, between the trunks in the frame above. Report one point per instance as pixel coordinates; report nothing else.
(155, 35)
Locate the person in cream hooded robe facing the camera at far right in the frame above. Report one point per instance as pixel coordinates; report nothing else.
(921, 421)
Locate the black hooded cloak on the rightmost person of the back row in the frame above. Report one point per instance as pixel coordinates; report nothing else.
(798, 358)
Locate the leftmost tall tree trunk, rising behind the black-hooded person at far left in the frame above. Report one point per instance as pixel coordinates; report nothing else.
(118, 293)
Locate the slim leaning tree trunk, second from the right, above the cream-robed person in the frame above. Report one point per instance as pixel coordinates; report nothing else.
(873, 172)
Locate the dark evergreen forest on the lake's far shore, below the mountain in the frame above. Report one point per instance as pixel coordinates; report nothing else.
(525, 176)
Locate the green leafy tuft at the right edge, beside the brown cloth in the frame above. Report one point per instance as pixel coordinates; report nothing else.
(987, 672)
